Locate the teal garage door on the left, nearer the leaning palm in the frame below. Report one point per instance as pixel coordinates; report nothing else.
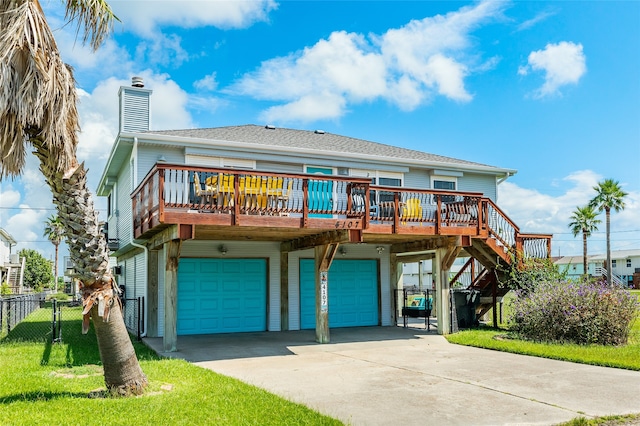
(222, 296)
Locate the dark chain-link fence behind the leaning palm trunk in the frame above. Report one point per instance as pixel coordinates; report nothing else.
(34, 318)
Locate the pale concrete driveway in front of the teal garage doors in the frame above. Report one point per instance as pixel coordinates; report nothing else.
(392, 375)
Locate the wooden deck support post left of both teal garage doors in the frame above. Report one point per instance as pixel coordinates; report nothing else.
(172, 256)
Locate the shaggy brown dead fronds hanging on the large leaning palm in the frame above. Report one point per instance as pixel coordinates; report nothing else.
(37, 90)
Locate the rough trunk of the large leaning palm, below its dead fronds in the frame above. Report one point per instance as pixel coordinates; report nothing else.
(89, 253)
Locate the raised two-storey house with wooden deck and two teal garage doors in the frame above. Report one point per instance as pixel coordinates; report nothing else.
(259, 228)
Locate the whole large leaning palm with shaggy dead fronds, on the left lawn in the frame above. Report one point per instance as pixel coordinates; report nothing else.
(38, 110)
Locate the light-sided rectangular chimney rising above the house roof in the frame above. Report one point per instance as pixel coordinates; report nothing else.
(135, 115)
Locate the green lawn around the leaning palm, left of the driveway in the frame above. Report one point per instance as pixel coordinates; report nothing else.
(45, 384)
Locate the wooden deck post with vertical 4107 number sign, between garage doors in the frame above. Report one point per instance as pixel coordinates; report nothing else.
(323, 257)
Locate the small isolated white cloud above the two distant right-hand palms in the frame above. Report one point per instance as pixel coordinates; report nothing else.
(563, 63)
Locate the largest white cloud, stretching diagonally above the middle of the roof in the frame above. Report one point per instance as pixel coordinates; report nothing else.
(407, 66)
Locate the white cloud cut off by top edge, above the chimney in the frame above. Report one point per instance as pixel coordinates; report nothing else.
(144, 17)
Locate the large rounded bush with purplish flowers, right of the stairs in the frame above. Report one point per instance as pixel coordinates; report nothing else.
(582, 313)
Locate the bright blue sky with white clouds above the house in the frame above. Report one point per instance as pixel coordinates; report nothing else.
(551, 89)
